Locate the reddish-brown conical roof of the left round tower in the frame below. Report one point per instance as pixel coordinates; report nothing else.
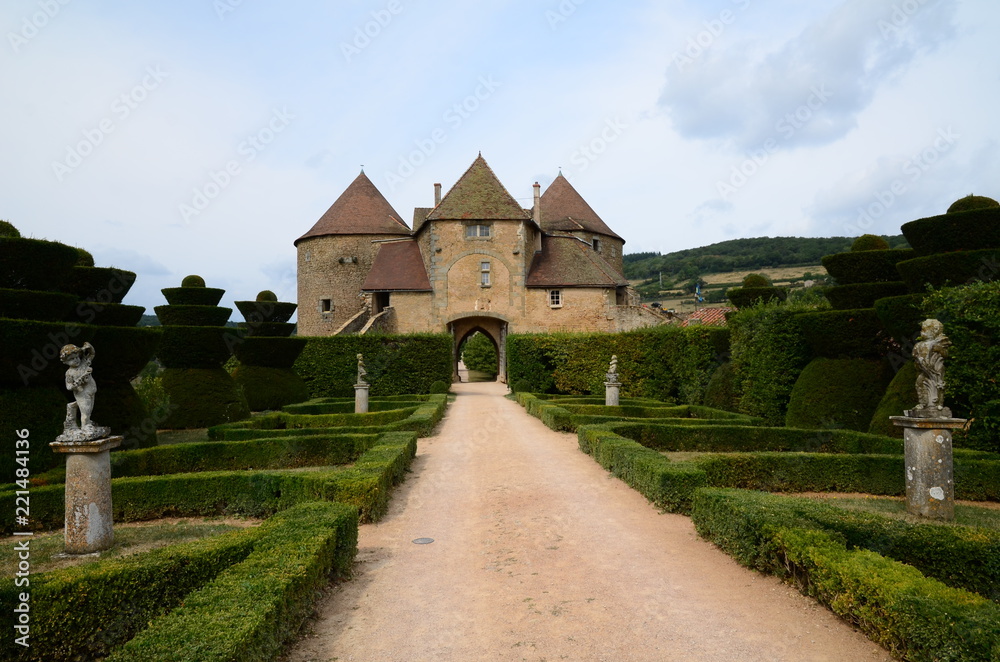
(361, 209)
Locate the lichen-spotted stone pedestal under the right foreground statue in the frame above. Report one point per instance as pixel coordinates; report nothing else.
(930, 484)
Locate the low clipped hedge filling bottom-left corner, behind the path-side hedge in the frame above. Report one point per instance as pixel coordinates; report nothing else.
(83, 612)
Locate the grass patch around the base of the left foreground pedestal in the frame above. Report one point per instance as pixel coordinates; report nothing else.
(128, 540)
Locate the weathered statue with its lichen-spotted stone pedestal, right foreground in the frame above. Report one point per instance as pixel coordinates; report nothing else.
(930, 486)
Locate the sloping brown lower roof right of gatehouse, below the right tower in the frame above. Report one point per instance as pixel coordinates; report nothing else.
(570, 262)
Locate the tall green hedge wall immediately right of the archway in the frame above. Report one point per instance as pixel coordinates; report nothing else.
(668, 363)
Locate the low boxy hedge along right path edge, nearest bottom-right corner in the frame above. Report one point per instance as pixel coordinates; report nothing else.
(915, 617)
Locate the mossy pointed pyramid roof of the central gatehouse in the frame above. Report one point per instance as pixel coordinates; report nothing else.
(479, 195)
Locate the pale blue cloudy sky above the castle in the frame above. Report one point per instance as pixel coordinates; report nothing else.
(205, 136)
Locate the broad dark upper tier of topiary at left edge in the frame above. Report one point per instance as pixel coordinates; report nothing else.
(34, 264)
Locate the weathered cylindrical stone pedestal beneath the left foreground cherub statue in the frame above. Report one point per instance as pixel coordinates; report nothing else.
(88, 494)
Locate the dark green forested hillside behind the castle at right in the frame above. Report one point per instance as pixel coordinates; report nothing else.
(740, 254)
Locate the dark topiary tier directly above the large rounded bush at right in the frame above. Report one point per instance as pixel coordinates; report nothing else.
(841, 333)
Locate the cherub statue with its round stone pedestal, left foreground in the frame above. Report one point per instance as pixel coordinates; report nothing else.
(88, 520)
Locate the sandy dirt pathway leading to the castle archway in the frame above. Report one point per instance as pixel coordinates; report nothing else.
(539, 554)
